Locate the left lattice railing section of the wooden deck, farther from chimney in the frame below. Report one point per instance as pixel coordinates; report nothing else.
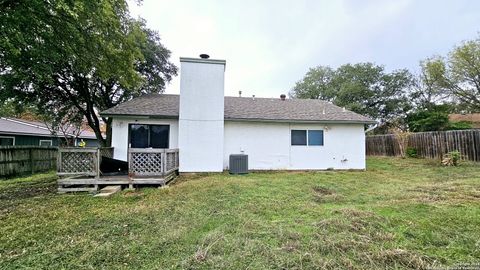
(81, 161)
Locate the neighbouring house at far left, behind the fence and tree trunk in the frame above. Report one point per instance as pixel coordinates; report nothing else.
(22, 132)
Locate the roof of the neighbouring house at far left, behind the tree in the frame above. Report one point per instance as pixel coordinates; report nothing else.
(16, 126)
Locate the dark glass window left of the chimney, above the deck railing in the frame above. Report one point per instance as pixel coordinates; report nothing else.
(146, 136)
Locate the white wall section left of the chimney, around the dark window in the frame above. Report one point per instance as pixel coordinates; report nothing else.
(120, 139)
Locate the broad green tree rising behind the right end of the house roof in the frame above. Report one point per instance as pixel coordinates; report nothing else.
(364, 88)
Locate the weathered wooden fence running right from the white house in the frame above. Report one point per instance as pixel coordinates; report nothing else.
(429, 144)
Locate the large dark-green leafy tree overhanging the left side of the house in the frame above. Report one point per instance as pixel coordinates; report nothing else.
(83, 55)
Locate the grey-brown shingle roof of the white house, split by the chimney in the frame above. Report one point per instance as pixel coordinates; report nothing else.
(243, 108)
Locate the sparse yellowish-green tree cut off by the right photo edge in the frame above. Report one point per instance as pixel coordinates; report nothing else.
(459, 74)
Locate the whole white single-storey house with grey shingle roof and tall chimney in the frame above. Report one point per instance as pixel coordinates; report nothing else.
(206, 127)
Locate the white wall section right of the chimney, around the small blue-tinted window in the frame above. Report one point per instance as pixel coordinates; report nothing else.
(268, 146)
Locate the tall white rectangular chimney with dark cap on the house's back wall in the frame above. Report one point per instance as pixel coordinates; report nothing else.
(201, 120)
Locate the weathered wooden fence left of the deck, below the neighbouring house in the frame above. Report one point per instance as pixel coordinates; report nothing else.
(16, 160)
